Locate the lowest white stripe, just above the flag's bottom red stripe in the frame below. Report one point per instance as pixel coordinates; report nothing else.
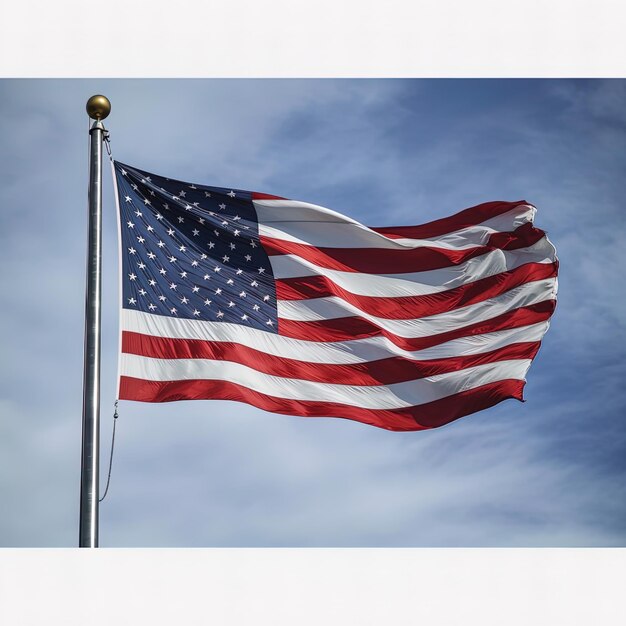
(394, 396)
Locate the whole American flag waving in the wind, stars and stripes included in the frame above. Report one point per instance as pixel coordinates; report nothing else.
(297, 309)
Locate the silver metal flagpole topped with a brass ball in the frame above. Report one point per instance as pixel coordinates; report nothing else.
(98, 107)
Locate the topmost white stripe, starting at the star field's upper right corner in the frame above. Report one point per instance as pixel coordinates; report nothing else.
(313, 225)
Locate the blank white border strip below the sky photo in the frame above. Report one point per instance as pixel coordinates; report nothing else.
(325, 586)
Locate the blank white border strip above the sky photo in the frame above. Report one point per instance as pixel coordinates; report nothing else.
(349, 38)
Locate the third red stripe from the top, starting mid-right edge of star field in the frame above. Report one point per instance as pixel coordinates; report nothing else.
(411, 307)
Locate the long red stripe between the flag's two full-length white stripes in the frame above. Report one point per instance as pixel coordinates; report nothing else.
(380, 372)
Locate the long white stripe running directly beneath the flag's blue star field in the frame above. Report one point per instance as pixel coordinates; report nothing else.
(337, 352)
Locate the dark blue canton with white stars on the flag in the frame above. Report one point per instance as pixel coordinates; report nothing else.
(192, 251)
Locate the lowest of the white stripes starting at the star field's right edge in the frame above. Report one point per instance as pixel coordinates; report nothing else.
(333, 308)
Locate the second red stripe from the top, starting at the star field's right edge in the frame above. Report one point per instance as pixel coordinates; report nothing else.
(386, 261)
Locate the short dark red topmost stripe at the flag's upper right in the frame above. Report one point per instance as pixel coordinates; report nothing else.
(469, 217)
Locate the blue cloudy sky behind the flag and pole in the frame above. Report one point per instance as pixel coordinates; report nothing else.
(547, 472)
